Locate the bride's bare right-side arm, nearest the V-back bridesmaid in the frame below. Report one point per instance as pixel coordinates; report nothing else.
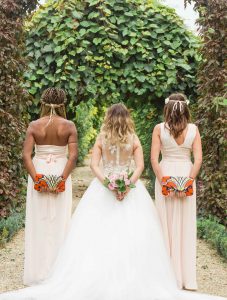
(139, 161)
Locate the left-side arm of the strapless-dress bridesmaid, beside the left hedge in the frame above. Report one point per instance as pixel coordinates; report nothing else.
(27, 152)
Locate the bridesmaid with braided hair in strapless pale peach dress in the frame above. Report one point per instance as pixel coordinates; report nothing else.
(48, 214)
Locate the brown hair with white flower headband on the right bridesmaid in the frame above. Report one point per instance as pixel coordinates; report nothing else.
(176, 114)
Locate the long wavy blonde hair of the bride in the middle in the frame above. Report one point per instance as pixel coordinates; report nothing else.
(118, 124)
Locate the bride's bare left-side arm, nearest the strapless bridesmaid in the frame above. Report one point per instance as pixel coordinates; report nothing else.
(95, 160)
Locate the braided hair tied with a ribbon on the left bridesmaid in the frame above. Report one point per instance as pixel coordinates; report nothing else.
(53, 102)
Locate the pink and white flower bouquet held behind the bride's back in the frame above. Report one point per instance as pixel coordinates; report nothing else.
(119, 182)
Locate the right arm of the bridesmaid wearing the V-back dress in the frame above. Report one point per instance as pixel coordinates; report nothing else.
(197, 153)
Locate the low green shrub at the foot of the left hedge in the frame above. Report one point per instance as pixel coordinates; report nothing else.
(9, 226)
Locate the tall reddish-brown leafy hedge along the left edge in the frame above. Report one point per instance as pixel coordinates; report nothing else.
(13, 102)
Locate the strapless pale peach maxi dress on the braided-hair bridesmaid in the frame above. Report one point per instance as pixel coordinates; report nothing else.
(47, 215)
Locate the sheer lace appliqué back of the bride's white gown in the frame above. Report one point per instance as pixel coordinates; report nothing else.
(117, 157)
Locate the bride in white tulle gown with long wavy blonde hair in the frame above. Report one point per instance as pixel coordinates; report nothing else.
(115, 248)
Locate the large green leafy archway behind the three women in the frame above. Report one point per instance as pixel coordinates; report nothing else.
(103, 52)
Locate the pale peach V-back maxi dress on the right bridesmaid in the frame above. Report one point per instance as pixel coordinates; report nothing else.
(178, 216)
